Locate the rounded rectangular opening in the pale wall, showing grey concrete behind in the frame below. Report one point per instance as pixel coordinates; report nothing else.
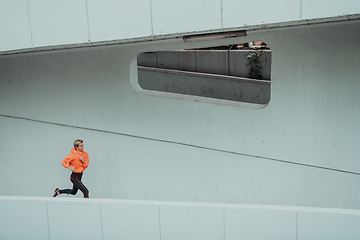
(229, 74)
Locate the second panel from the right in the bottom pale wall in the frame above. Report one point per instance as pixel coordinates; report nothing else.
(259, 224)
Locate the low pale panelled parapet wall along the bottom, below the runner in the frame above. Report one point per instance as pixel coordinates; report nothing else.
(46, 218)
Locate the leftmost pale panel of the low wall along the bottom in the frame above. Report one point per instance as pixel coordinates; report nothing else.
(23, 219)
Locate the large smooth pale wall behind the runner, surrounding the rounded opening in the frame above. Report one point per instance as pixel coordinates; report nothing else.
(147, 147)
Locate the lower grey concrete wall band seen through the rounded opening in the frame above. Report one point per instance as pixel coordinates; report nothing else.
(205, 85)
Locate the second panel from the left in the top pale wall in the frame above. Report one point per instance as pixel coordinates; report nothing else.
(58, 22)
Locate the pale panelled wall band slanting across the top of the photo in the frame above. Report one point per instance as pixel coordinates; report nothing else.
(28, 24)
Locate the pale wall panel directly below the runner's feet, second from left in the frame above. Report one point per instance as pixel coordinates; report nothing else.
(74, 220)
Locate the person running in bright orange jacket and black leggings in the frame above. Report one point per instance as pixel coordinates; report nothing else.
(77, 161)
